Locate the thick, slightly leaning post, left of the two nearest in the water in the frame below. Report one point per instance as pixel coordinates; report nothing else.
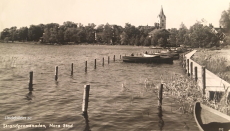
(85, 98)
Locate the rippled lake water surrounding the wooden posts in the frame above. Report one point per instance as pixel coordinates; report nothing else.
(112, 107)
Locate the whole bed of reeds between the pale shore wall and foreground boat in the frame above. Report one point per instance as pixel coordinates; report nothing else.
(186, 92)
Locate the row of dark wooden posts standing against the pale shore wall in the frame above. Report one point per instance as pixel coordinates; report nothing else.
(193, 74)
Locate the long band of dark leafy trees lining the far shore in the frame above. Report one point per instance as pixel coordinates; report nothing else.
(198, 35)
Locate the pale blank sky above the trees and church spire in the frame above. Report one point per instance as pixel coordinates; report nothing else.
(23, 13)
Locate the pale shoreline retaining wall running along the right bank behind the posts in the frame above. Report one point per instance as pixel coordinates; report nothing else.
(207, 81)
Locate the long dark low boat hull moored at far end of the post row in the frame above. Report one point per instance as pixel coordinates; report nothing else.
(135, 59)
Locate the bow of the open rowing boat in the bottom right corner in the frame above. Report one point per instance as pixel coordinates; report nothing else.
(209, 119)
